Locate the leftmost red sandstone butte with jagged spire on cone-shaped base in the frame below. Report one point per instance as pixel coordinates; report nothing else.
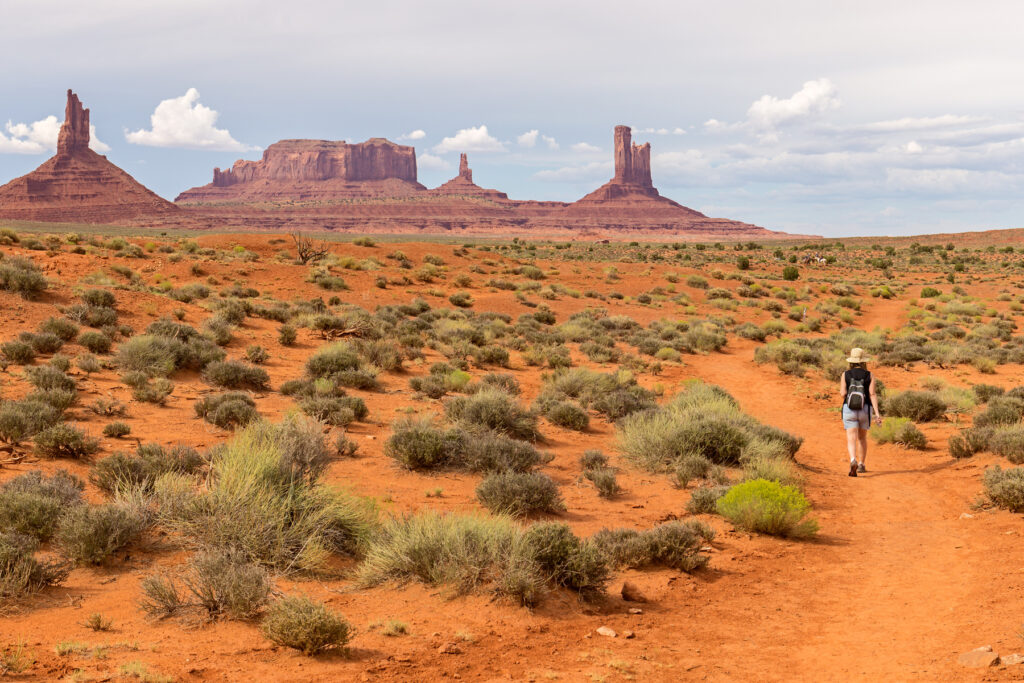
(78, 185)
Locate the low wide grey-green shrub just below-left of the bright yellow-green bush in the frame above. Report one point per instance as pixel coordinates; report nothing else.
(675, 545)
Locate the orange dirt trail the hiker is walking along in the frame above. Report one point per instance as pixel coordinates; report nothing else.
(891, 586)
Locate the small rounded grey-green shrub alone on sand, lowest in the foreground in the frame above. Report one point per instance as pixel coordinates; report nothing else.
(307, 626)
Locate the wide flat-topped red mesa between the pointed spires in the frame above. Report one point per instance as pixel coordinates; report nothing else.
(314, 172)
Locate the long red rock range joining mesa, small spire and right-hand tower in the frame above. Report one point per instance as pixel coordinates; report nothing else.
(372, 188)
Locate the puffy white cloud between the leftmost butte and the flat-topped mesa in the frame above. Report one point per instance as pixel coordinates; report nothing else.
(184, 122)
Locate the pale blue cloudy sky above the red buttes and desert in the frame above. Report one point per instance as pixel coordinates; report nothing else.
(868, 118)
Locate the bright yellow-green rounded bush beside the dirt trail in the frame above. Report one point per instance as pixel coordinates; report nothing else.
(767, 507)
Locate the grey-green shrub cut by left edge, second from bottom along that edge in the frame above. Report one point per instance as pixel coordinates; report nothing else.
(31, 504)
